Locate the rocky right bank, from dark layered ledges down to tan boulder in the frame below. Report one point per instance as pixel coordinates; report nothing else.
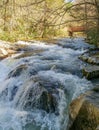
(84, 111)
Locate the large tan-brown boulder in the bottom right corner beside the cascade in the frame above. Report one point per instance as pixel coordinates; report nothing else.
(84, 111)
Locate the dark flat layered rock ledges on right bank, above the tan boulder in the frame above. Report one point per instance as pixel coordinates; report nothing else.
(91, 58)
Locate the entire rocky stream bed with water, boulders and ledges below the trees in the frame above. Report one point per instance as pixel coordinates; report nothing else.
(46, 86)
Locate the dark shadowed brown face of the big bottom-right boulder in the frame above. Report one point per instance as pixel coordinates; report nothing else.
(87, 118)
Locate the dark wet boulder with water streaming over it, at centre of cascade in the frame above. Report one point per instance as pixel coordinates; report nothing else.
(39, 95)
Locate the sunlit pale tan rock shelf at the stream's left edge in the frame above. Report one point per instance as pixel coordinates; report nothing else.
(7, 49)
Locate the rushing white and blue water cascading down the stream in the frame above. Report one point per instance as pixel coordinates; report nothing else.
(36, 89)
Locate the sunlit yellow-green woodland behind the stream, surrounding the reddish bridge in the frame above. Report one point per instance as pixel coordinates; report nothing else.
(33, 19)
